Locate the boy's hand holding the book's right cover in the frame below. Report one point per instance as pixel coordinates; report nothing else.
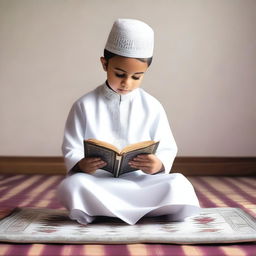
(148, 163)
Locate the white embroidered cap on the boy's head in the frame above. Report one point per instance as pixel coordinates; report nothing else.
(131, 38)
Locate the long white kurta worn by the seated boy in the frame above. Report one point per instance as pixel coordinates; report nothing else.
(122, 119)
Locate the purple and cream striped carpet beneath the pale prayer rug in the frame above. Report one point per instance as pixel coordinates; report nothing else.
(39, 191)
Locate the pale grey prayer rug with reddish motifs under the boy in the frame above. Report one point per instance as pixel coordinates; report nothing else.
(212, 225)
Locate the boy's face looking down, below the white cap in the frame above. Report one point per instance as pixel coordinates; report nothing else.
(124, 74)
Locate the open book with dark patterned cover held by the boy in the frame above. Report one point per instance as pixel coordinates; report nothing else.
(117, 161)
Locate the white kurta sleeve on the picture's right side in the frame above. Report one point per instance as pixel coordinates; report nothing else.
(167, 148)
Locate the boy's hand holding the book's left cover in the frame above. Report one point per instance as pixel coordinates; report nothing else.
(91, 164)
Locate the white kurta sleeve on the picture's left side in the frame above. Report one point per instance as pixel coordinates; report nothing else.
(72, 146)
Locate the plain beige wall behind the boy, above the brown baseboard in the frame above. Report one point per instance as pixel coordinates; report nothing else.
(203, 72)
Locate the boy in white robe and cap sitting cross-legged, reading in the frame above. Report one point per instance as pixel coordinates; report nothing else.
(121, 113)
